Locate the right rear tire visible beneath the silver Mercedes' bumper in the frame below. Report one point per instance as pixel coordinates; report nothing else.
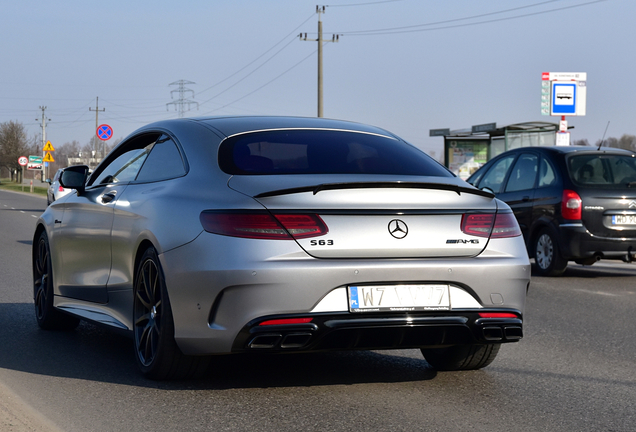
(461, 357)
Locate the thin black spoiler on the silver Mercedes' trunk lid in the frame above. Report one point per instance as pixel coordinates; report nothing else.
(371, 185)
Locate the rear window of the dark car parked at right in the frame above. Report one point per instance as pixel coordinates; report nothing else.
(603, 170)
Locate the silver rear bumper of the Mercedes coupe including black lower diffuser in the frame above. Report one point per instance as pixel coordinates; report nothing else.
(221, 288)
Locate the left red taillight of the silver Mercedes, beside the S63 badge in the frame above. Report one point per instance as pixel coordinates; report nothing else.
(262, 224)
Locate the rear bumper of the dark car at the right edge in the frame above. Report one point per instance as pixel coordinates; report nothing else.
(579, 243)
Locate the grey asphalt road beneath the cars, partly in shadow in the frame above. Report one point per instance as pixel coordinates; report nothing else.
(573, 371)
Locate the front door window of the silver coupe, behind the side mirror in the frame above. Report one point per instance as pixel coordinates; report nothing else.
(124, 163)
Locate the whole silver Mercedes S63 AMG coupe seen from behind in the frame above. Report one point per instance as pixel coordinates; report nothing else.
(227, 235)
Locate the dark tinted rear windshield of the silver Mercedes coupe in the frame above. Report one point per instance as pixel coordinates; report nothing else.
(324, 152)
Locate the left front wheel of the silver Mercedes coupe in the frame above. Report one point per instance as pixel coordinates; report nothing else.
(48, 318)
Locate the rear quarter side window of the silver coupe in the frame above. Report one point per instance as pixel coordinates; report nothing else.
(164, 162)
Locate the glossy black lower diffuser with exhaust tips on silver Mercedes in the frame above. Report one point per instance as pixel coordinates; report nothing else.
(385, 331)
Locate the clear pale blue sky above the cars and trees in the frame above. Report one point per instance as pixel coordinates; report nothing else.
(405, 65)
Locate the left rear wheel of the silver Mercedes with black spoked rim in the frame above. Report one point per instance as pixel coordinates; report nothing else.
(156, 352)
